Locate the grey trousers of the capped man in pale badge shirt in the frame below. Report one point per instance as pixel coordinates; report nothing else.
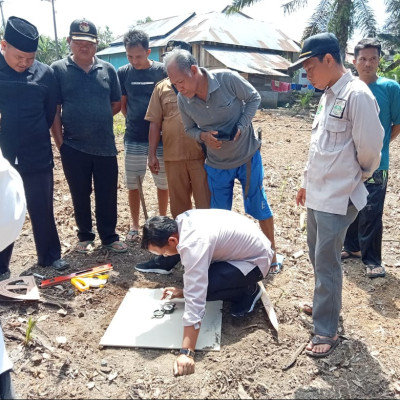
(325, 236)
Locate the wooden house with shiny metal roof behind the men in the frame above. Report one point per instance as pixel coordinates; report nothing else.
(255, 49)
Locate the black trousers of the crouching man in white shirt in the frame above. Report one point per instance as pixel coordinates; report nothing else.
(226, 282)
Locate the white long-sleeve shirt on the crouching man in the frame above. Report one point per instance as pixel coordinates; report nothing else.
(207, 236)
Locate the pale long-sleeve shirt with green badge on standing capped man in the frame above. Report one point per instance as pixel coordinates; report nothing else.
(346, 143)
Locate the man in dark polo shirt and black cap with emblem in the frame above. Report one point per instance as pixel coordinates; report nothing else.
(88, 97)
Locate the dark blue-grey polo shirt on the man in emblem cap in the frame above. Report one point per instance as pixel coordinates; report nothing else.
(86, 100)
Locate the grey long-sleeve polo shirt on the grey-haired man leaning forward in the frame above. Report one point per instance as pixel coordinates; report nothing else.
(230, 100)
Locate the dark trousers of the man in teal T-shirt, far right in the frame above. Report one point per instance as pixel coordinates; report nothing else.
(365, 233)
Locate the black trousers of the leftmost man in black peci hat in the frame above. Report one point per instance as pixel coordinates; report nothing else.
(39, 199)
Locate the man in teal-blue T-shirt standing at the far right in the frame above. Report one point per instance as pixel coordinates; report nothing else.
(364, 236)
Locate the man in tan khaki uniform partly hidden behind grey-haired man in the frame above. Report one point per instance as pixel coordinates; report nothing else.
(183, 160)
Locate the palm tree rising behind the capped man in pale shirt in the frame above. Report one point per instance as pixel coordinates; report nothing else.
(340, 17)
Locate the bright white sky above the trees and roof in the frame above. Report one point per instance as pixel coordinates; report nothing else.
(119, 15)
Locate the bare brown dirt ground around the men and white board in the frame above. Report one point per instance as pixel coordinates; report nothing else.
(64, 359)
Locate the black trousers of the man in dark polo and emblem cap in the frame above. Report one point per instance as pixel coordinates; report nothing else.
(81, 169)
